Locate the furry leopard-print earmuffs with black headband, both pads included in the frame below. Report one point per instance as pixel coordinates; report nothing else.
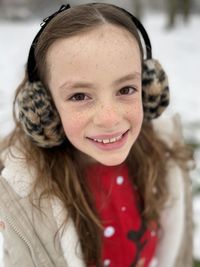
(38, 115)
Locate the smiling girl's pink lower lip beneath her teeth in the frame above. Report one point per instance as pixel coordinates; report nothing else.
(111, 146)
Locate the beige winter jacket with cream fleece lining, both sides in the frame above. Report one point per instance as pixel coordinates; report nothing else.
(28, 234)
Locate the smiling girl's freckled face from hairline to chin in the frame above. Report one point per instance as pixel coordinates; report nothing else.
(95, 81)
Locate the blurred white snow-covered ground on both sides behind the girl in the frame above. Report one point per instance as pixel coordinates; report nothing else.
(177, 49)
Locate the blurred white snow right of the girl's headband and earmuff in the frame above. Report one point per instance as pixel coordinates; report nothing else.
(179, 53)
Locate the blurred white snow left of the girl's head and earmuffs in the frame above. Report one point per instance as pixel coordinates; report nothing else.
(15, 41)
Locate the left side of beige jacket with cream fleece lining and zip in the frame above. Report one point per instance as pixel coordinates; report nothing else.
(26, 224)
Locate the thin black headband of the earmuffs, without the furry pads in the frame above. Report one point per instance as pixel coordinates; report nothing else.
(31, 64)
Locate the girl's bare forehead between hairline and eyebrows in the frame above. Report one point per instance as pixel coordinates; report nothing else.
(108, 49)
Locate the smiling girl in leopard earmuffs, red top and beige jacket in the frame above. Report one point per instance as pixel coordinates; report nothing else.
(88, 179)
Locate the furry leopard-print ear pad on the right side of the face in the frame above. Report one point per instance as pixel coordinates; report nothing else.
(155, 89)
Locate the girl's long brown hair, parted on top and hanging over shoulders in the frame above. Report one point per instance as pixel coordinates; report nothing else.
(60, 172)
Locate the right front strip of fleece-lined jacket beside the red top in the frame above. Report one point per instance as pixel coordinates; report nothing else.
(175, 245)
